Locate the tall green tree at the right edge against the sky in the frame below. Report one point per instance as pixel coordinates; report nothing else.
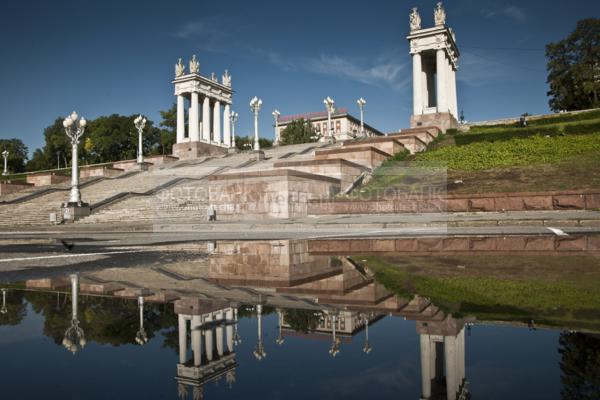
(574, 68)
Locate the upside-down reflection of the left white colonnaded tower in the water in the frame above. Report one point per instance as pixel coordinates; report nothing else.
(209, 319)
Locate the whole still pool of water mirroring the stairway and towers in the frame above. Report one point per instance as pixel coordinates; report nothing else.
(481, 318)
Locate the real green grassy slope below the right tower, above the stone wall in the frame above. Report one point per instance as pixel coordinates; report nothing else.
(536, 163)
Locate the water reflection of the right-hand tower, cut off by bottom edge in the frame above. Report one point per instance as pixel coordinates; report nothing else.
(443, 351)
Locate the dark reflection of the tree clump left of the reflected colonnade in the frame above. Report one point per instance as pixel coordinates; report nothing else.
(104, 320)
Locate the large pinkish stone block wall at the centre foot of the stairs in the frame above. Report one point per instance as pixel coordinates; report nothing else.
(278, 193)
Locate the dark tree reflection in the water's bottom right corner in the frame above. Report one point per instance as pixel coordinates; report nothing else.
(580, 366)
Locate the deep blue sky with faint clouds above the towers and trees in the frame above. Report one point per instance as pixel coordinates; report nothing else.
(103, 57)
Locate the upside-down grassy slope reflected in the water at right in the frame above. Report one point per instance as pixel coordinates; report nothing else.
(500, 288)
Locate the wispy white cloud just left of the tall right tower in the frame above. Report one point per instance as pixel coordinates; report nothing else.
(383, 72)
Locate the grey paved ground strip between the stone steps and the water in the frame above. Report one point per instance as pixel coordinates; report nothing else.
(34, 252)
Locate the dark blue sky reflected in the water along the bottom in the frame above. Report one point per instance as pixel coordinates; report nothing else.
(502, 363)
